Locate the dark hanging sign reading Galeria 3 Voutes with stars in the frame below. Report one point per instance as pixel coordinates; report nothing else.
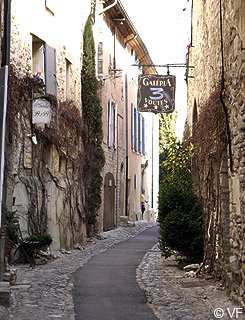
(156, 93)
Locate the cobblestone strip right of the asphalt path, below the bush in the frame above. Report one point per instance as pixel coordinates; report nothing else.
(172, 296)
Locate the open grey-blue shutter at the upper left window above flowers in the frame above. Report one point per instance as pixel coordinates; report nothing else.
(50, 69)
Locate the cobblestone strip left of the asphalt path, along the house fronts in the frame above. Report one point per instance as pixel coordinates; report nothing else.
(45, 292)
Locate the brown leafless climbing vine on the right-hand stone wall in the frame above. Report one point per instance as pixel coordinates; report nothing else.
(211, 140)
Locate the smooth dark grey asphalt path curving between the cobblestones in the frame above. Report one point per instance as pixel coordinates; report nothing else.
(106, 288)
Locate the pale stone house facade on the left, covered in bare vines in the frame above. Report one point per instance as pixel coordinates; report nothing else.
(44, 185)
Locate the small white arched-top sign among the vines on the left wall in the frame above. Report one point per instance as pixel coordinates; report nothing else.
(41, 111)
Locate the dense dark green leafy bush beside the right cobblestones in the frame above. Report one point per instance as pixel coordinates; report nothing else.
(180, 214)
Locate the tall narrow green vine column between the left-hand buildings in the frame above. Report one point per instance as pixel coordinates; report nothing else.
(92, 115)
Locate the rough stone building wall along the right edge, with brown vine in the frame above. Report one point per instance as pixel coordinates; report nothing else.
(216, 111)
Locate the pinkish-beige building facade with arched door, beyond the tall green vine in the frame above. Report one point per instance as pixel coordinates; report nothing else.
(119, 47)
